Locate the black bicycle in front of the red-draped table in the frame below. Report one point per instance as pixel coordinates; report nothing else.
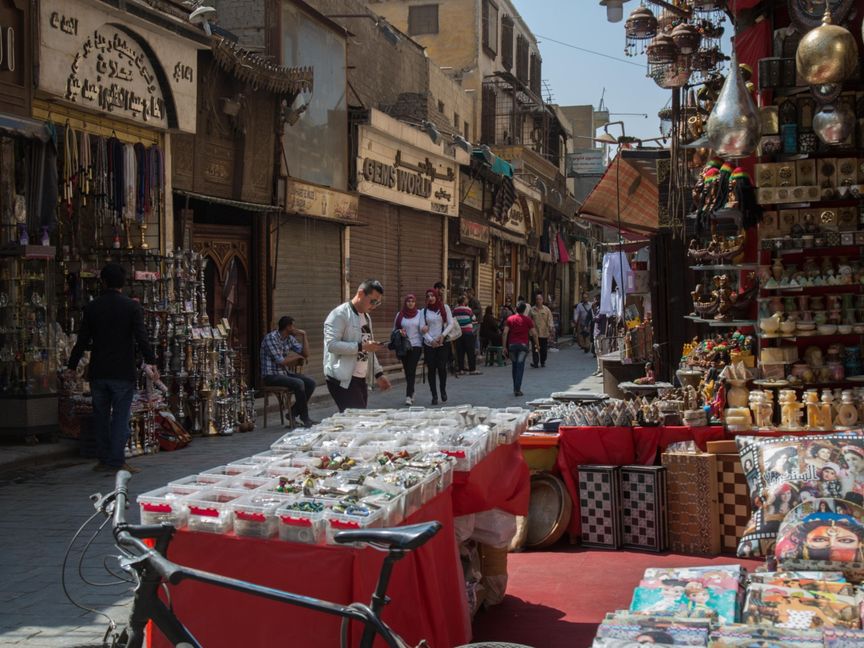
(151, 570)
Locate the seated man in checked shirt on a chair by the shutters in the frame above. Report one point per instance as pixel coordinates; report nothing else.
(282, 351)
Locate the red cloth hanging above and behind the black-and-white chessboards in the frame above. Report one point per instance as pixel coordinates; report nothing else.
(618, 446)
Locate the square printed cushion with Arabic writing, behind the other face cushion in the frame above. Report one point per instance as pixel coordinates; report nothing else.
(784, 472)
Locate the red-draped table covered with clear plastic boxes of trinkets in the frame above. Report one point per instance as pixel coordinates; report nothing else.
(271, 518)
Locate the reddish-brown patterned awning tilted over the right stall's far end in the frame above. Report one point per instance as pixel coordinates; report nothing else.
(631, 178)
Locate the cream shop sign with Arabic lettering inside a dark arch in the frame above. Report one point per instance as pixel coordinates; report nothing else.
(96, 62)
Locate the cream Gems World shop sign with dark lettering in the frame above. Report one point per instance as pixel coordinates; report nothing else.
(400, 173)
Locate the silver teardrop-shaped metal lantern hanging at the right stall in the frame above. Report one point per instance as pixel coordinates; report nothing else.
(733, 126)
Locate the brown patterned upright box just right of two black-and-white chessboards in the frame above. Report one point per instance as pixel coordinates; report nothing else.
(692, 491)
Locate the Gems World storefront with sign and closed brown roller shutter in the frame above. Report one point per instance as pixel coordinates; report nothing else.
(409, 192)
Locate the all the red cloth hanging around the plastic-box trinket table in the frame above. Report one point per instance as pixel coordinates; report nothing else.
(427, 589)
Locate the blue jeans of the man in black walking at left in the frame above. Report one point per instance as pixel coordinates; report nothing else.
(112, 401)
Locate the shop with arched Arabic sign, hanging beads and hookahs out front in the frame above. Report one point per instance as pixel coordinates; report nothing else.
(108, 106)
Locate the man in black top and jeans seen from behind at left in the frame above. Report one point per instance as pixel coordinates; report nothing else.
(111, 327)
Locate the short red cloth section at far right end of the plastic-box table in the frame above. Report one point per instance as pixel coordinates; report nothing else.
(502, 480)
